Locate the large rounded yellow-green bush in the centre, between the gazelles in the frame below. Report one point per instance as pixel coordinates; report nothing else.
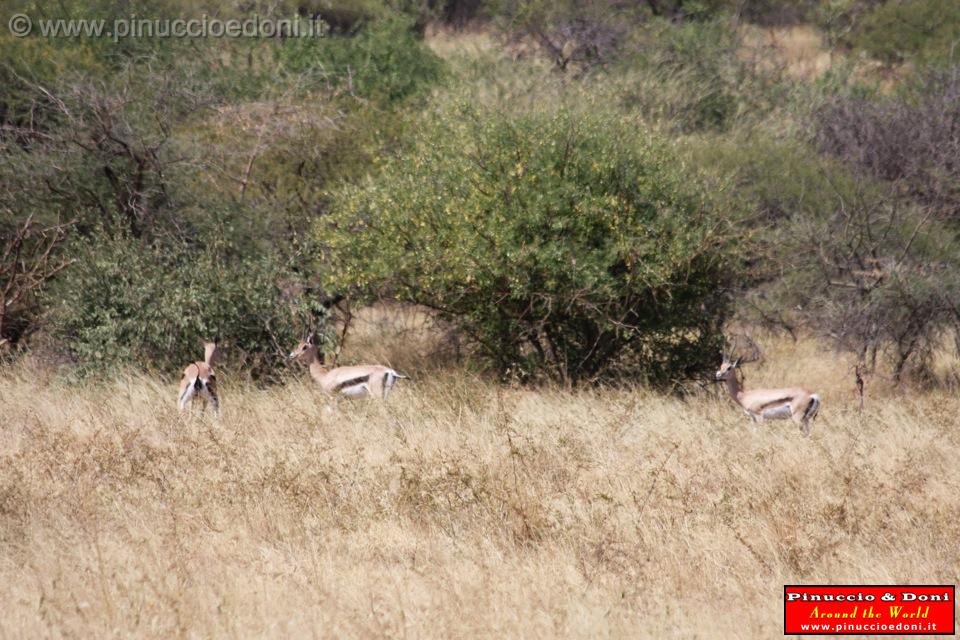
(572, 246)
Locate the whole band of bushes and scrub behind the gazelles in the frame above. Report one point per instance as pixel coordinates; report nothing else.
(580, 191)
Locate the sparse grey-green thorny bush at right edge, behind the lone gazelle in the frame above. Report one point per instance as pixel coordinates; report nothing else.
(841, 253)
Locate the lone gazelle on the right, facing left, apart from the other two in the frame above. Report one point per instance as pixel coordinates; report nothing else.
(795, 403)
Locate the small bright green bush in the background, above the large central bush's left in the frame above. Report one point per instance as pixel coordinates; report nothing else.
(385, 60)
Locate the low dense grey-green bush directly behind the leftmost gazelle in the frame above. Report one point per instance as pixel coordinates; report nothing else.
(124, 304)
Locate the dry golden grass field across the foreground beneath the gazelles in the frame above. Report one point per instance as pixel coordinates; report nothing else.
(459, 509)
